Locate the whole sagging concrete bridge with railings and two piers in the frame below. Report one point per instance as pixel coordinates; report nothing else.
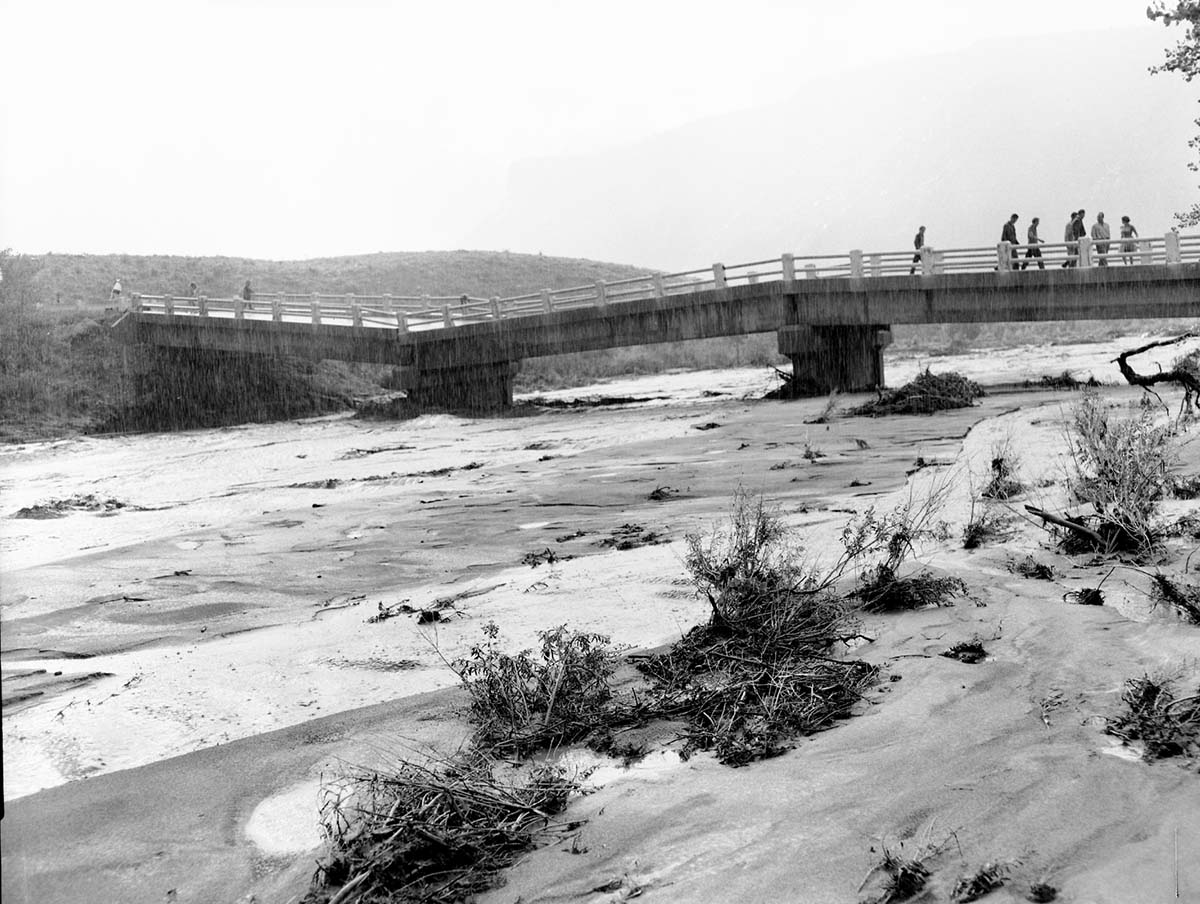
(832, 313)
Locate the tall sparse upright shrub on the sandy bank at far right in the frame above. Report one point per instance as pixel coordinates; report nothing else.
(1120, 468)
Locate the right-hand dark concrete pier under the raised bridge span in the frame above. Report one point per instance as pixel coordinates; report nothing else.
(848, 358)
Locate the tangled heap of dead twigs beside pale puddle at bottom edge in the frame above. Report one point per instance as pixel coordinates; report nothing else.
(434, 833)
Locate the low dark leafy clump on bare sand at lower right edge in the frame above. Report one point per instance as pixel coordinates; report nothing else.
(1167, 726)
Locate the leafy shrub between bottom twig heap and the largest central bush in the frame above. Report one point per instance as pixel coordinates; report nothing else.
(523, 702)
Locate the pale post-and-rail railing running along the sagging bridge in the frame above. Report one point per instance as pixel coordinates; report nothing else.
(429, 313)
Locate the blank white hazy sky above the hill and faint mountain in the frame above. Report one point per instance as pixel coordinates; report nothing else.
(291, 130)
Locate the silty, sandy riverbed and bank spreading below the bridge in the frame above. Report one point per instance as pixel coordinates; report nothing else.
(179, 678)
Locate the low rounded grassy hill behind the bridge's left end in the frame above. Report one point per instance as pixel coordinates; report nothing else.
(69, 279)
